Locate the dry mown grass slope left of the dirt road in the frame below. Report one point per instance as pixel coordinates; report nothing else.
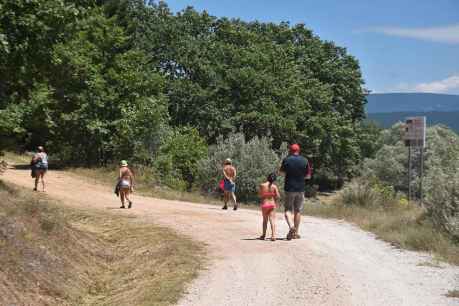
(62, 256)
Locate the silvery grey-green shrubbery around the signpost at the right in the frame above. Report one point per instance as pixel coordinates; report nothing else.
(441, 172)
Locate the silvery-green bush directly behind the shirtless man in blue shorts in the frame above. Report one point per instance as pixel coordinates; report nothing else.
(253, 159)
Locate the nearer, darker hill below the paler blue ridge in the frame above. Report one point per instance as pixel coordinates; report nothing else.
(385, 120)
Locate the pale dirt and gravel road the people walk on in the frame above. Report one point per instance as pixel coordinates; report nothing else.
(333, 264)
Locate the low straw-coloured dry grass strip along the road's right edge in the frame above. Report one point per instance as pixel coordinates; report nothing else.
(405, 226)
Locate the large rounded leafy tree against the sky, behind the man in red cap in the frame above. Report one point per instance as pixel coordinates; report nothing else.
(260, 79)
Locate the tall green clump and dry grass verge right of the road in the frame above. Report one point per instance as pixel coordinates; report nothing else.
(376, 207)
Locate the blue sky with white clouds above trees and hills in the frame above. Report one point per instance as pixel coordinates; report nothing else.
(402, 46)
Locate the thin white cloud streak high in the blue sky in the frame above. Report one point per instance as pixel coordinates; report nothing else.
(445, 34)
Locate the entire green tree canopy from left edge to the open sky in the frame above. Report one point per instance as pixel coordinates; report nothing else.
(100, 80)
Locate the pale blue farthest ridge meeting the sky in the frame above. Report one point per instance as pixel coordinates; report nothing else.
(411, 102)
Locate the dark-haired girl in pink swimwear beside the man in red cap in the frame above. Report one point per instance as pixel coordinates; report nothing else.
(269, 193)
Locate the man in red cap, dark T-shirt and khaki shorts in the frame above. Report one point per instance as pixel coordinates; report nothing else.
(295, 168)
